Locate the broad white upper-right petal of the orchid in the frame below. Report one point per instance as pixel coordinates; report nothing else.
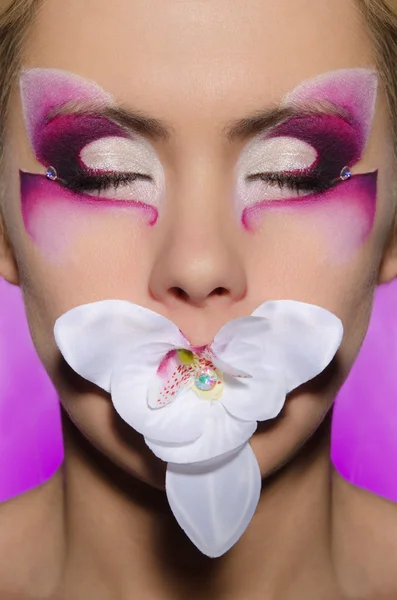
(297, 339)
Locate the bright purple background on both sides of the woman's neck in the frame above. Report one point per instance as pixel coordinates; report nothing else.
(364, 439)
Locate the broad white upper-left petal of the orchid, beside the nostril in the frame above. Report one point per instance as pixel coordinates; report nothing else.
(96, 338)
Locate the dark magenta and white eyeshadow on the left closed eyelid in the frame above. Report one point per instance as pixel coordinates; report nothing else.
(90, 153)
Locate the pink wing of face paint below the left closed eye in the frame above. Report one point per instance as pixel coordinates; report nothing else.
(59, 221)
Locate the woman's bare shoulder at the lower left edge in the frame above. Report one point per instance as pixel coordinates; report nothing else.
(29, 543)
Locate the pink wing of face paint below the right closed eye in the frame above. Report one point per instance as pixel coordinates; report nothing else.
(336, 222)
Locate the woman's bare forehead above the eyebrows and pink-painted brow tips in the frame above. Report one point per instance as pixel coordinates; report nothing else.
(191, 58)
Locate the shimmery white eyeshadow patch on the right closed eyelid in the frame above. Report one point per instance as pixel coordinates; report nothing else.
(276, 154)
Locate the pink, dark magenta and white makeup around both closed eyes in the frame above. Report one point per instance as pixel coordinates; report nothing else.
(328, 141)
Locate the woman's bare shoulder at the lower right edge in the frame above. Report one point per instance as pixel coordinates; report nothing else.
(365, 542)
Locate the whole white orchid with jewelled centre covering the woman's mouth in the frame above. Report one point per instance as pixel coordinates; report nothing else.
(197, 408)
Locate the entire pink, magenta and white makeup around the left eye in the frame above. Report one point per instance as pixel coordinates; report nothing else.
(99, 164)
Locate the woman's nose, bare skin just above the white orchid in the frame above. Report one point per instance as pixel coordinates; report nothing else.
(199, 262)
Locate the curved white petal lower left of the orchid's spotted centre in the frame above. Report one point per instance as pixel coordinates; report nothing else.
(180, 421)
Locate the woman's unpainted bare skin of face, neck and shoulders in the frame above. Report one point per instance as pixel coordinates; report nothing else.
(109, 533)
